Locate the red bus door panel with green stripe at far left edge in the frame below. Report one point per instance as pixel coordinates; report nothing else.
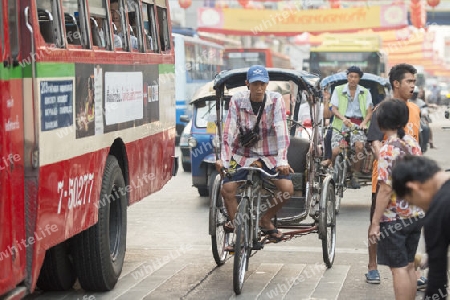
(12, 215)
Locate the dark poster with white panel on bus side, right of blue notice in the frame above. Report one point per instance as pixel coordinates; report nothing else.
(110, 98)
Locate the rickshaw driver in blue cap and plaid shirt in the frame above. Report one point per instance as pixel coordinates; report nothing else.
(269, 152)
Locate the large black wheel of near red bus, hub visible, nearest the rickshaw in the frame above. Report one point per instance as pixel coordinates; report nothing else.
(99, 251)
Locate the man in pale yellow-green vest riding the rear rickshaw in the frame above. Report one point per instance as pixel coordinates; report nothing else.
(351, 104)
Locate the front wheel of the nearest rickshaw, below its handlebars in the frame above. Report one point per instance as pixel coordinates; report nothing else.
(241, 247)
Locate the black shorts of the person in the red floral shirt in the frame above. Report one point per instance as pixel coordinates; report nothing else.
(398, 242)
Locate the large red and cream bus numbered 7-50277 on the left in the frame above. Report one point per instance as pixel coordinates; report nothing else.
(88, 128)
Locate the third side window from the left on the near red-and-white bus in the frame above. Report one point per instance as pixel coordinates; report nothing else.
(101, 36)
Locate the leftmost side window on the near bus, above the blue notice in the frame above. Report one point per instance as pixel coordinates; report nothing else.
(50, 21)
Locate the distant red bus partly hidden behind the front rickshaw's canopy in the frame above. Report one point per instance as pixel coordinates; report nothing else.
(245, 57)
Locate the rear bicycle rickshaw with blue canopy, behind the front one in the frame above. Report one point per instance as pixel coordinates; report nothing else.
(379, 88)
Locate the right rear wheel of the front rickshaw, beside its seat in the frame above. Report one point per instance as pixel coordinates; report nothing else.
(327, 222)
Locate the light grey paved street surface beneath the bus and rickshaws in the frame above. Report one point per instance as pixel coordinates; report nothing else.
(169, 251)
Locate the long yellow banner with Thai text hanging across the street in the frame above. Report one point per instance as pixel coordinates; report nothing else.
(292, 21)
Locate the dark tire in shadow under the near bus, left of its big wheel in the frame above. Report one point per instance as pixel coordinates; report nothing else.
(57, 272)
